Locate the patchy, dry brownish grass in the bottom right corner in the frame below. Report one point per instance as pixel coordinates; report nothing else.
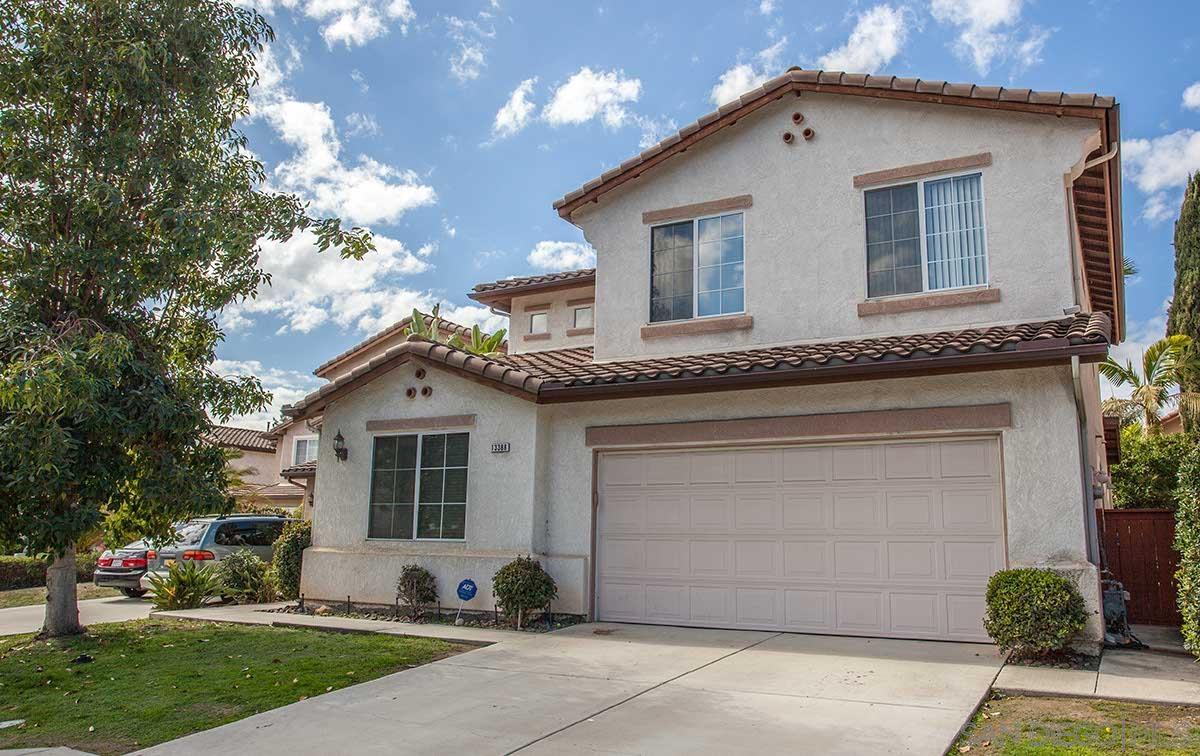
(1046, 727)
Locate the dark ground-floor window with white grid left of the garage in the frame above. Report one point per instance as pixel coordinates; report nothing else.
(419, 487)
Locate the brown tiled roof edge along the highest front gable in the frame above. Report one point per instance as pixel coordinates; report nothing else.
(838, 82)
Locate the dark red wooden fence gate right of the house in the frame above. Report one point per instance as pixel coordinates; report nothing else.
(1139, 551)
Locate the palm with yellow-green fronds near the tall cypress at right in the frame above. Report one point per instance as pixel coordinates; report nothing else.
(1156, 388)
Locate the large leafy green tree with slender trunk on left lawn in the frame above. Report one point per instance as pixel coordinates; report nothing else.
(131, 213)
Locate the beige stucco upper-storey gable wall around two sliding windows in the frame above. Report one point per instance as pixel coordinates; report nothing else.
(806, 233)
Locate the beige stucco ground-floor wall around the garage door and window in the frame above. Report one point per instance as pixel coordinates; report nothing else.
(538, 499)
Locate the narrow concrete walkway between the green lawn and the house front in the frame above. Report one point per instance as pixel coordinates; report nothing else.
(260, 615)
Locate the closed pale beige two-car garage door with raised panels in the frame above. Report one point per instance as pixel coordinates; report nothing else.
(886, 539)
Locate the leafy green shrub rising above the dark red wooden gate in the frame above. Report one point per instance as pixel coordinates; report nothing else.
(1148, 475)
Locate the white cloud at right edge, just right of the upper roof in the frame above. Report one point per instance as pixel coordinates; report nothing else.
(1161, 167)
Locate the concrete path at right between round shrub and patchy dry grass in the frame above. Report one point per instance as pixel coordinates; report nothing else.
(1162, 675)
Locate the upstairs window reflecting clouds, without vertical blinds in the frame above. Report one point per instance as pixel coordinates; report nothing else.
(698, 268)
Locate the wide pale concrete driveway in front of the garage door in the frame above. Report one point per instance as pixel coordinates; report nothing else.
(633, 689)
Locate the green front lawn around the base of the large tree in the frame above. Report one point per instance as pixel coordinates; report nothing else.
(153, 681)
